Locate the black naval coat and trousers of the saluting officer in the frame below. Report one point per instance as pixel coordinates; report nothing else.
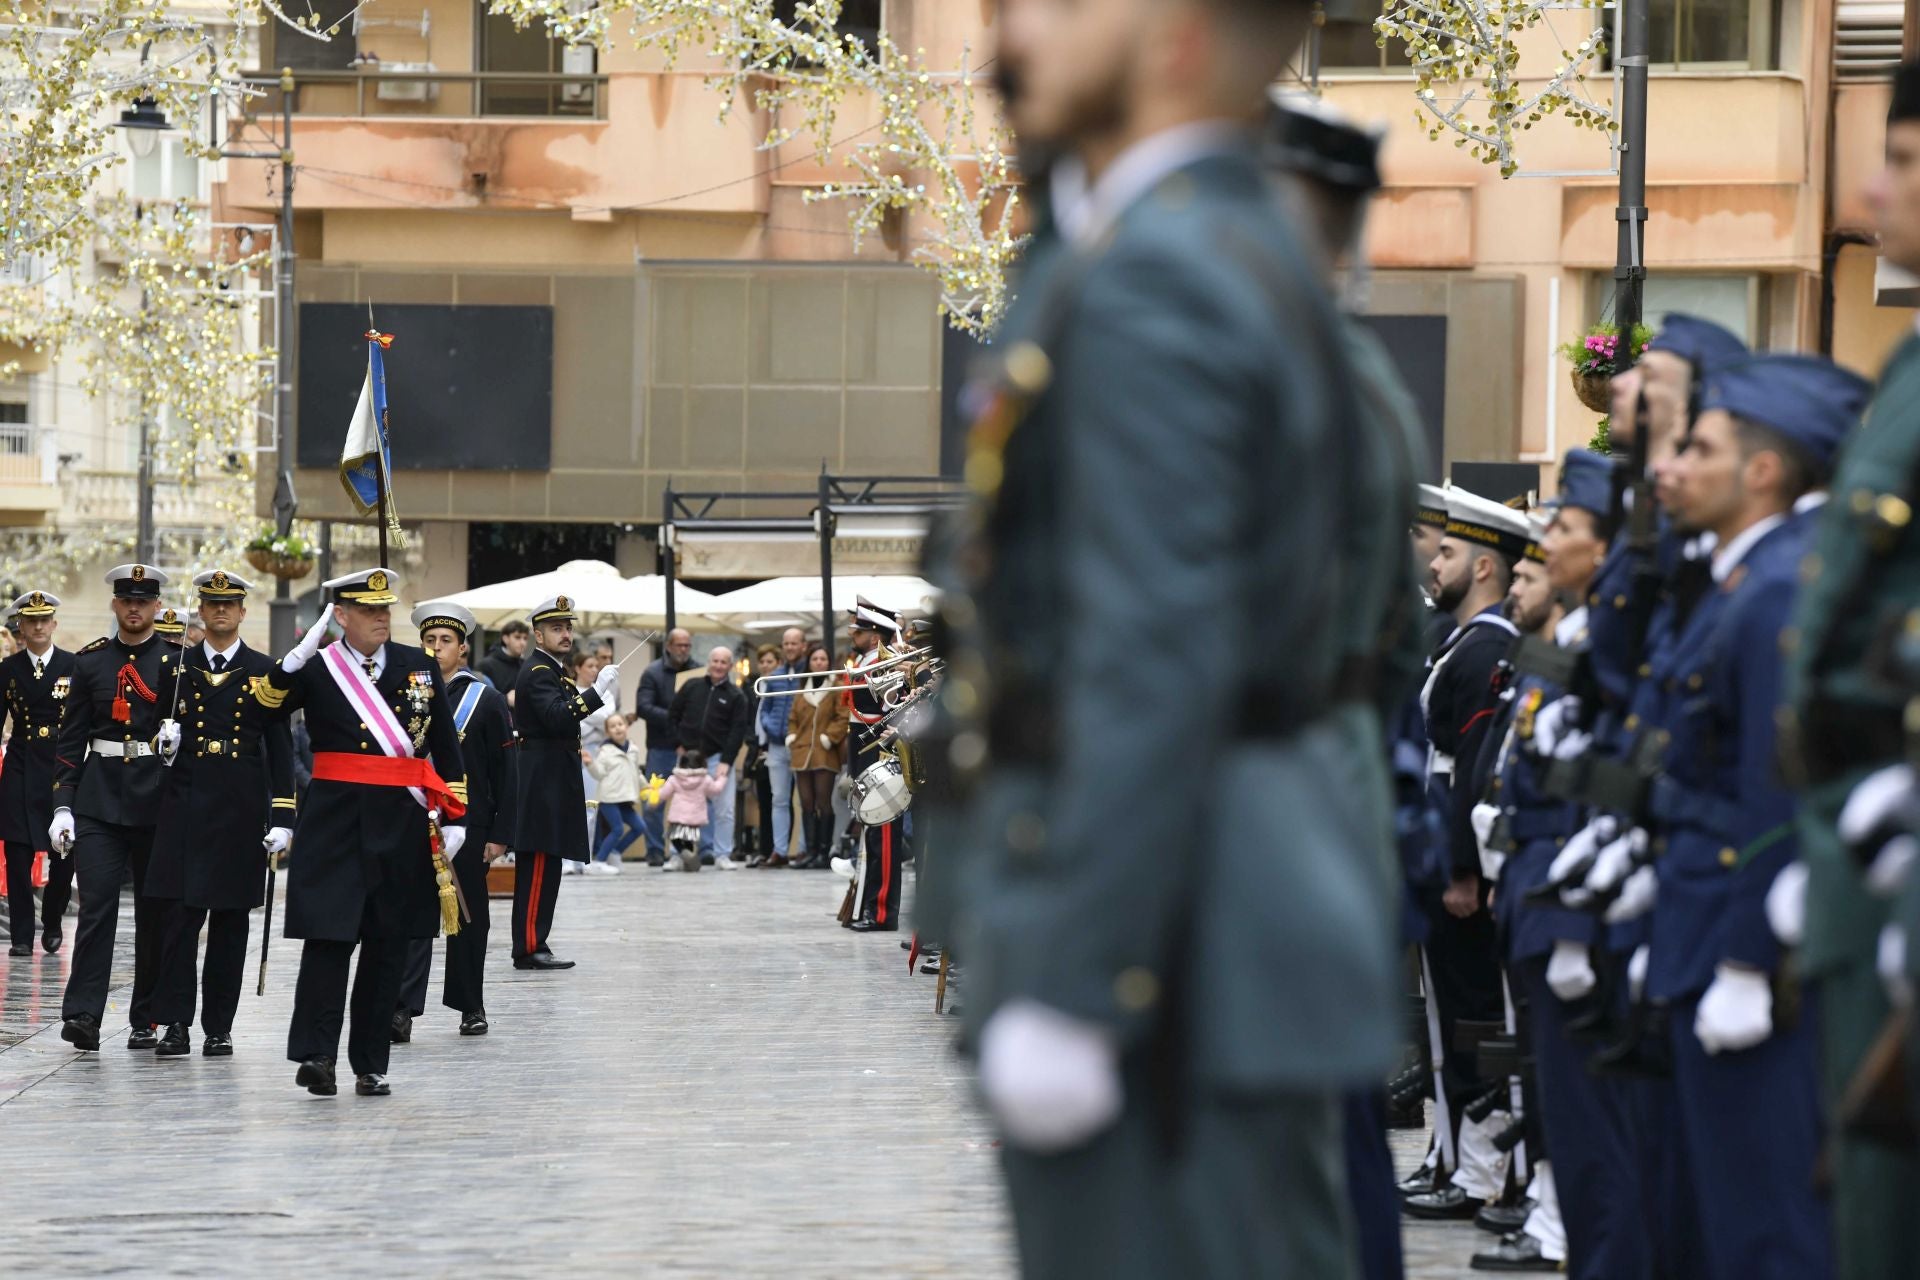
(360, 872)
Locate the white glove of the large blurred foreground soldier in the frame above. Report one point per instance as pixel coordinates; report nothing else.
(1049, 1079)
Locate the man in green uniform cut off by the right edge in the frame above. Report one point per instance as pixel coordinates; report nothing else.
(1846, 705)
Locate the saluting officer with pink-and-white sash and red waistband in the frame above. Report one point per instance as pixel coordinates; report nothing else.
(364, 866)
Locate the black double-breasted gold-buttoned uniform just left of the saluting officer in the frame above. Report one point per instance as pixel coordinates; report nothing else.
(231, 782)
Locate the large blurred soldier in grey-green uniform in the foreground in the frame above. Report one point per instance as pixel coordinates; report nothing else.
(1176, 903)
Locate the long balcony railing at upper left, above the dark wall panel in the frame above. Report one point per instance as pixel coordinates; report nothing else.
(400, 91)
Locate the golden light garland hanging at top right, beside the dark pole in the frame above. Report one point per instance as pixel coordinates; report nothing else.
(1468, 72)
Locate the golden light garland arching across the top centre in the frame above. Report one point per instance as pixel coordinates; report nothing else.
(938, 160)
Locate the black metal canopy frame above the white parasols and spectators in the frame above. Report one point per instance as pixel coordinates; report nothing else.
(836, 496)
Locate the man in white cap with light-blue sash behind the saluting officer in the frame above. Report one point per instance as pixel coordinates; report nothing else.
(487, 732)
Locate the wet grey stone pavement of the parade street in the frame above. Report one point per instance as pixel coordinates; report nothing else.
(727, 1085)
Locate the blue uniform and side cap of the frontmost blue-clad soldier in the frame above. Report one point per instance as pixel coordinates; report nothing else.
(1750, 1116)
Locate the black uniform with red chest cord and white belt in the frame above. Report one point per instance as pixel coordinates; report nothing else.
(108, 772)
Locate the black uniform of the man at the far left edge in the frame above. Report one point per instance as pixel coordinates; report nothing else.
(36, 696)
